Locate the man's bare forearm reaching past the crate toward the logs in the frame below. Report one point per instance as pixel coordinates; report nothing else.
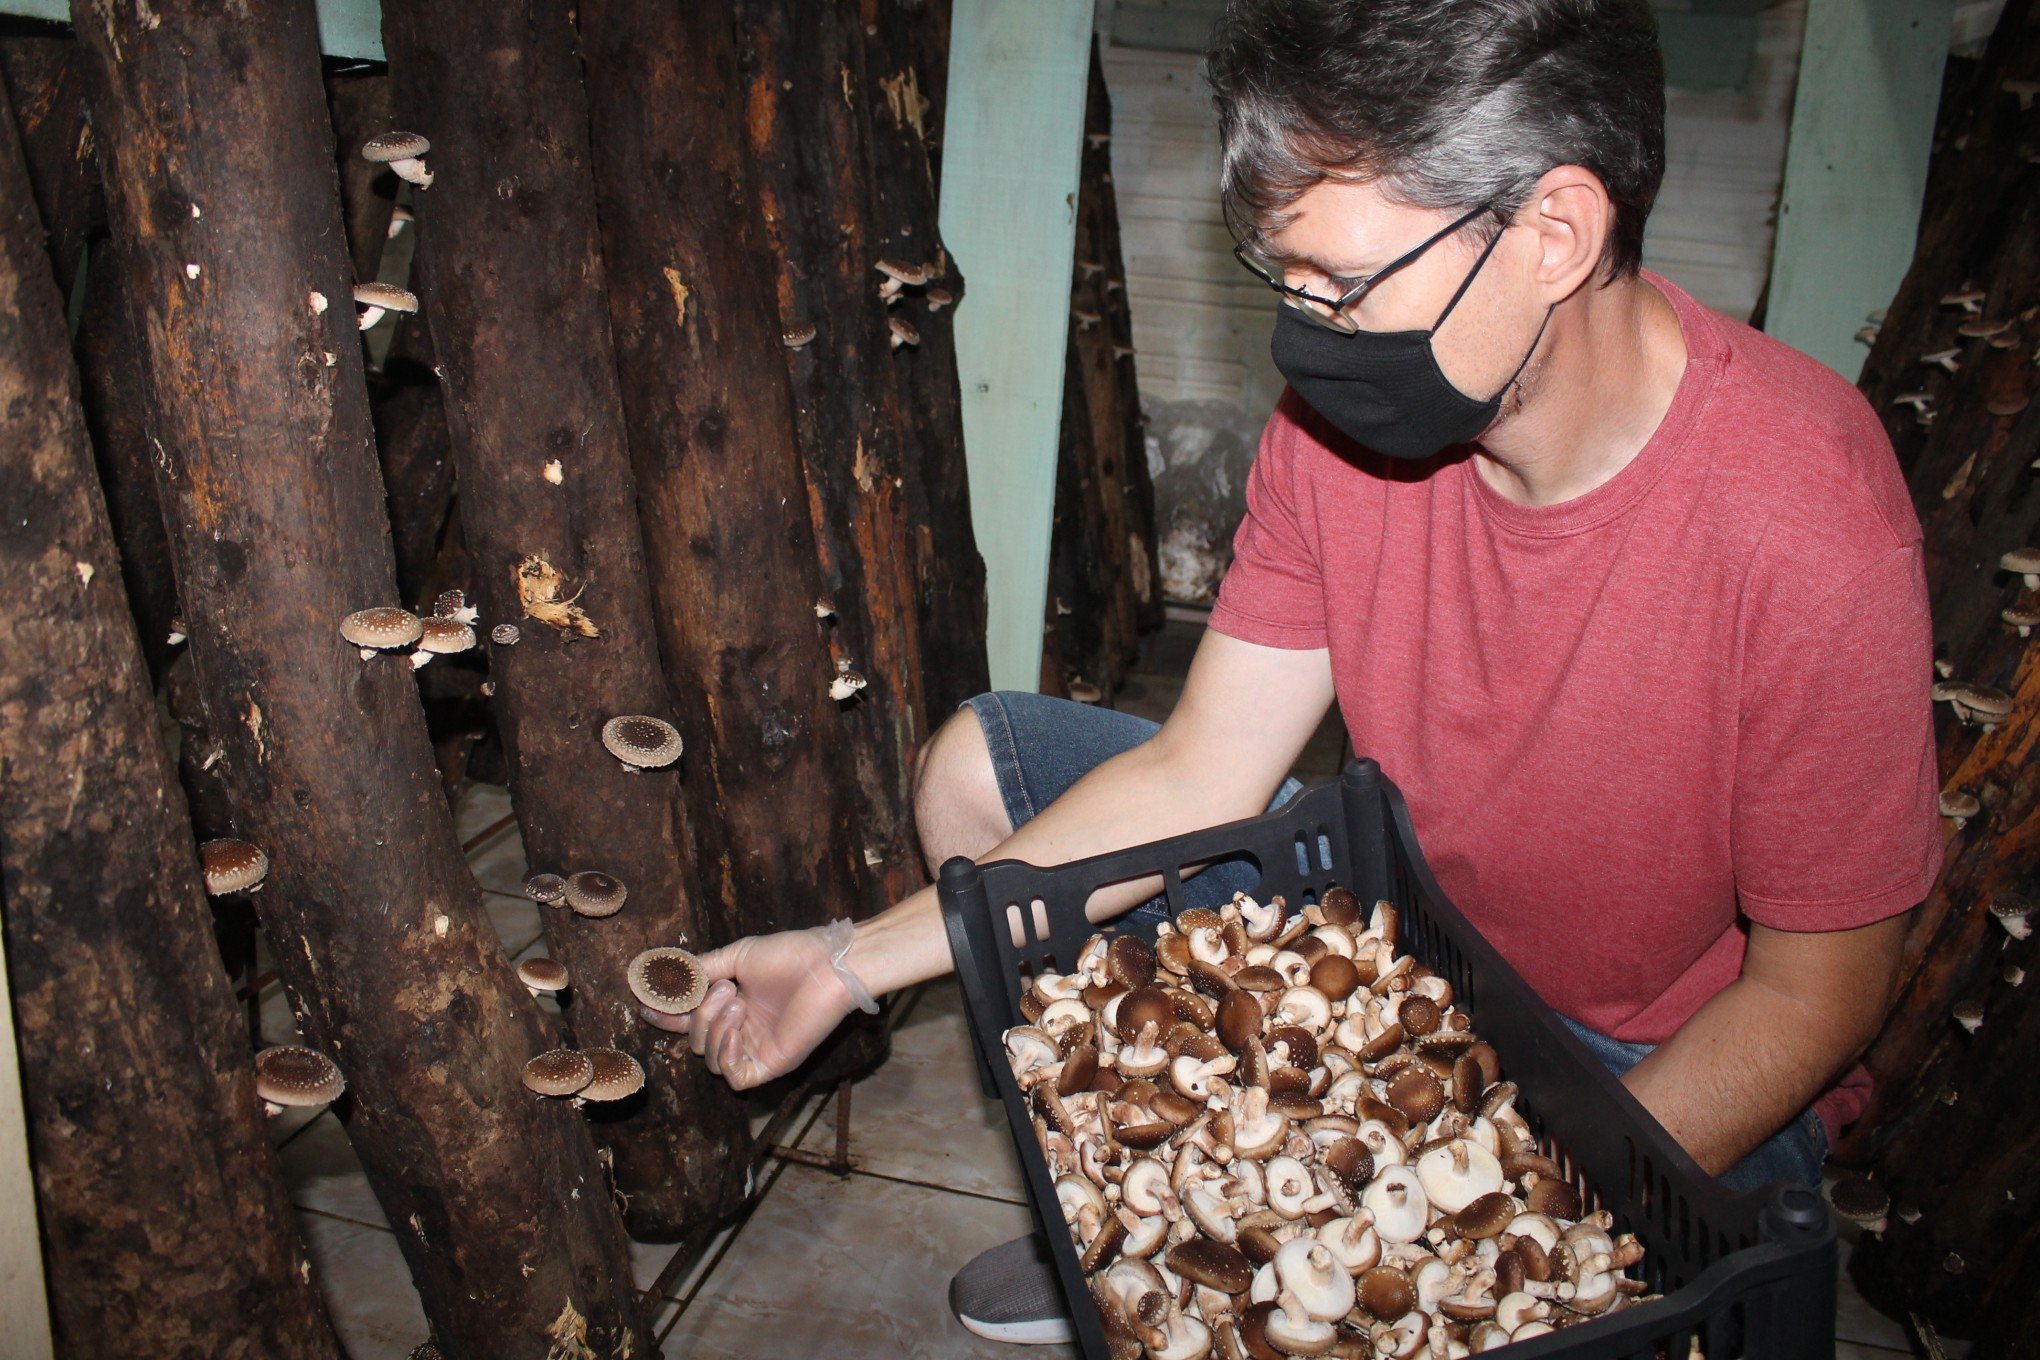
(1129, 800)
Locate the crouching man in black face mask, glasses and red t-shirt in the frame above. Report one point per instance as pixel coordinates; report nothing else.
(1625, 596)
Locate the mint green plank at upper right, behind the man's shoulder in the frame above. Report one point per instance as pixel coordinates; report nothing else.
(1855, 170)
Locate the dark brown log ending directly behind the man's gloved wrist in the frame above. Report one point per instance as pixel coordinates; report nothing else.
(727, 539)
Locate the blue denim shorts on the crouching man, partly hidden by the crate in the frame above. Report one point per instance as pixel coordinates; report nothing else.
(1043, 745)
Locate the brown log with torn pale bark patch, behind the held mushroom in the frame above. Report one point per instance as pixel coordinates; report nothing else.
(509, 274)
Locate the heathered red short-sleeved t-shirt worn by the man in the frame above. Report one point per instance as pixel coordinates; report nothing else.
(1627, 723)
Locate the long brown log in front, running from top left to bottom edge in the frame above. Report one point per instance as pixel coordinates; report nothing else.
(276, 523)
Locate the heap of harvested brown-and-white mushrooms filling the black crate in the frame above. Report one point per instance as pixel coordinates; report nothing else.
(1274, 1135)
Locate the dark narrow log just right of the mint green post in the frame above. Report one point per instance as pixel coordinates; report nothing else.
(1105, 576)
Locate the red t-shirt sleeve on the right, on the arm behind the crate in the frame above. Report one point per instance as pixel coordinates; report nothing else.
(1837, 808)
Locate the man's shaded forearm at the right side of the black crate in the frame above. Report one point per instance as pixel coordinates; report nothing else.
(1747, 1063)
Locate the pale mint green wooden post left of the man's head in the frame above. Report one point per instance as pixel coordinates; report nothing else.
(1011, 144)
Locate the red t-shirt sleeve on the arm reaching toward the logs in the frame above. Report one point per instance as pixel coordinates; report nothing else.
(1274, 590)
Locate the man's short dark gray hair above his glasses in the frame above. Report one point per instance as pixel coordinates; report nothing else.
(1445, 103)
